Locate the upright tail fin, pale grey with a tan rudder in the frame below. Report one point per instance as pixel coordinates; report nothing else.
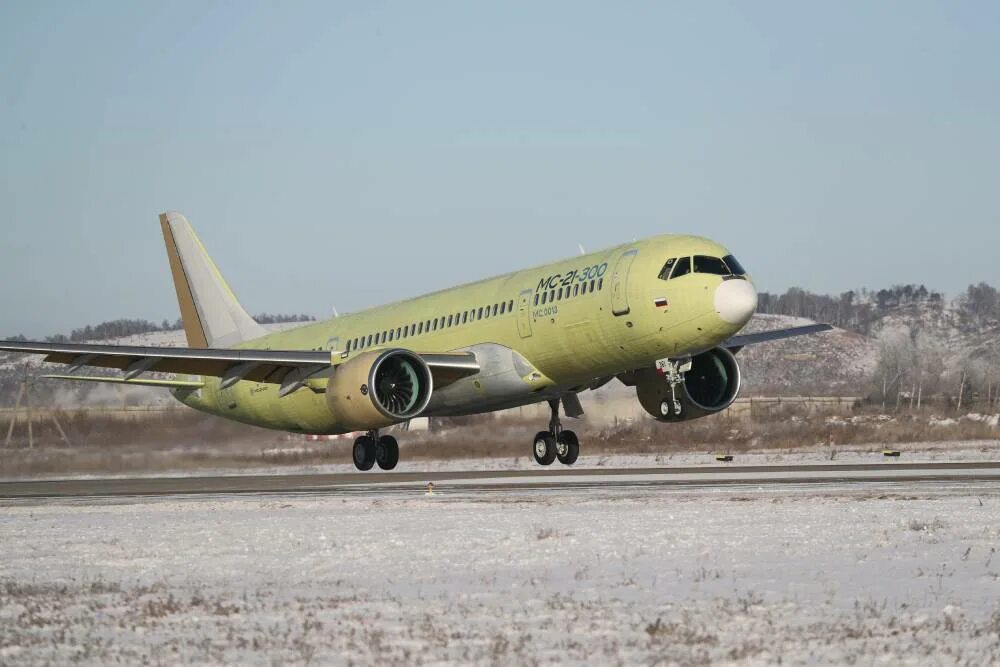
(211, 314)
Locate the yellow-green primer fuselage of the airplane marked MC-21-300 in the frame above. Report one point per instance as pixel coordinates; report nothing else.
(548, 348)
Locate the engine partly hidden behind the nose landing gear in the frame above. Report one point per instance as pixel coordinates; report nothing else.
(710, 386)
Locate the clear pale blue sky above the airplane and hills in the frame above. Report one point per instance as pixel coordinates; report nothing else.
(346, 155)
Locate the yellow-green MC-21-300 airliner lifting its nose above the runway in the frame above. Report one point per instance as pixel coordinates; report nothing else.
(662, 315)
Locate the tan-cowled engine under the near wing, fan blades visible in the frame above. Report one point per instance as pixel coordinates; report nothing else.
(379, 388)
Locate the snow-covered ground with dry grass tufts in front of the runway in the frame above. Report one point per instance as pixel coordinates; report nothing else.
(866, 575)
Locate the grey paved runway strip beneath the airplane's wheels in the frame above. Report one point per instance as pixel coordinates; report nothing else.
(985, 473)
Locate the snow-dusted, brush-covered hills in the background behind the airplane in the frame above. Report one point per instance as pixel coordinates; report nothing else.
(901, 344)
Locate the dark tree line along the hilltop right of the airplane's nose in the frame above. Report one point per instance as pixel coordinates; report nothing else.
(860, 310)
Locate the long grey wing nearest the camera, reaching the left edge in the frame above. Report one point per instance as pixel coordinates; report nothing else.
(289, 368)
